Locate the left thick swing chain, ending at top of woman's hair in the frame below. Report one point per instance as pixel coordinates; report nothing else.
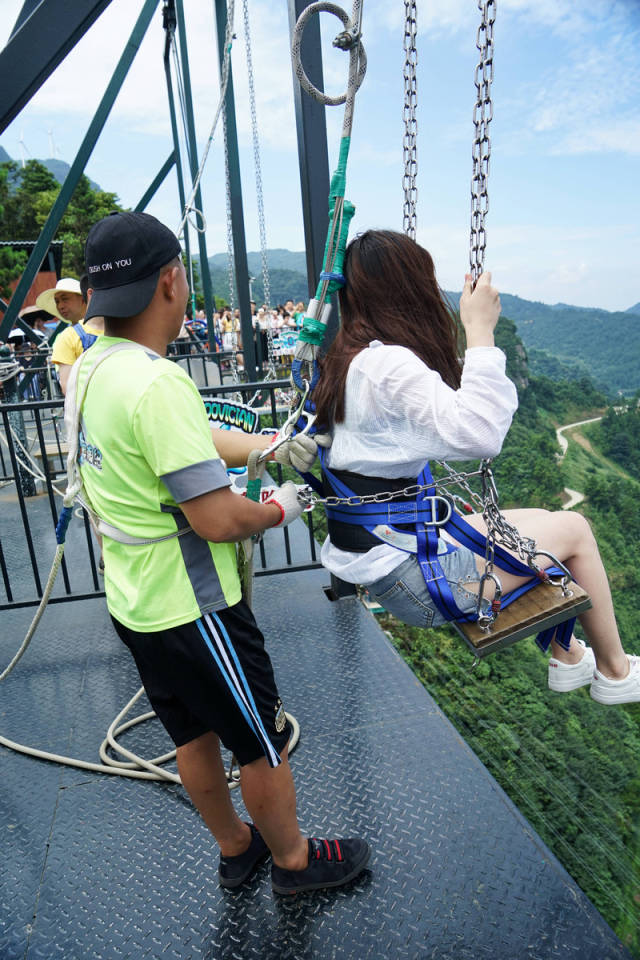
(410, 139)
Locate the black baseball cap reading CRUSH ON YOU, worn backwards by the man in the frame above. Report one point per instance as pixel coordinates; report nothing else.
(123, 255)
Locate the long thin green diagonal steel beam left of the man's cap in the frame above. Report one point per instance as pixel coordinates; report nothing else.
(77, 167)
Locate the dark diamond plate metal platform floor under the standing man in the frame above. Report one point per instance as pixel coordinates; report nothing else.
(100, 867)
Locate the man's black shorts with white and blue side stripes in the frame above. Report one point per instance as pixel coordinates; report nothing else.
(213, 674)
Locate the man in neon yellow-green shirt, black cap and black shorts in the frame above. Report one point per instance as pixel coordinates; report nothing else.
(150, 469)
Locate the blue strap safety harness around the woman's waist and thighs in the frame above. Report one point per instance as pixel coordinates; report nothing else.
(427, 515)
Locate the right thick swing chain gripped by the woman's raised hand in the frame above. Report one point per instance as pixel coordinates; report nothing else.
(481, 152)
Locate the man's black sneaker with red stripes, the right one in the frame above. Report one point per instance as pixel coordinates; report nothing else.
(331, 863)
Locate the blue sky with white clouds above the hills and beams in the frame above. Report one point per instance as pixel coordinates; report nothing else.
(564, 220)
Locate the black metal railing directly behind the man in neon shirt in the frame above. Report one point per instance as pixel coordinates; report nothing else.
(33, 452)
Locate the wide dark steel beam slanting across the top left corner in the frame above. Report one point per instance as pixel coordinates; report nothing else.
(43, 35)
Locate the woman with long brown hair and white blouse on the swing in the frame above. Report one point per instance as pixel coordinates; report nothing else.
(395, 394)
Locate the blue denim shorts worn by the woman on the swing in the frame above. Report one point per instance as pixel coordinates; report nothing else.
(404, 593)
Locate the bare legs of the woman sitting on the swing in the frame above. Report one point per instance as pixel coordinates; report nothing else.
(568, 537)
